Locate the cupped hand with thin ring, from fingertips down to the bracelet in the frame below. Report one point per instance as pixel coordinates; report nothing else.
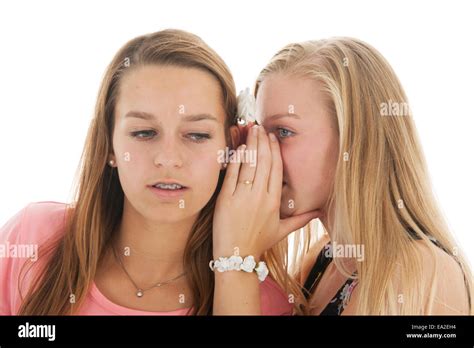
(247, 214)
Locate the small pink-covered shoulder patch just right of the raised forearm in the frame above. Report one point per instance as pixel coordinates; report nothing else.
(273, 300)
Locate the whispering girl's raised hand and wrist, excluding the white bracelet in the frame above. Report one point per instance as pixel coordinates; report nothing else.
(247, 218)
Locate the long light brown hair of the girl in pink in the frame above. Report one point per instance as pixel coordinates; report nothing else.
(98, 207)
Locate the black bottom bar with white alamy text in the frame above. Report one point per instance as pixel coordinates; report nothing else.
(314, 331)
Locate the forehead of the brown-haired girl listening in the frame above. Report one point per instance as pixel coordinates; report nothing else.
(154, 89)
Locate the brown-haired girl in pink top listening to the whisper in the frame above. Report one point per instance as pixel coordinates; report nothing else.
(137, 237)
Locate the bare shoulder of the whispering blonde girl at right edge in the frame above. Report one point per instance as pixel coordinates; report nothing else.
(443, 275)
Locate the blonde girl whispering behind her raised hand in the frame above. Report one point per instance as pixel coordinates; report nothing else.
(350, 155)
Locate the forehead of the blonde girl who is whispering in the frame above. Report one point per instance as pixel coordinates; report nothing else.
(283, 94)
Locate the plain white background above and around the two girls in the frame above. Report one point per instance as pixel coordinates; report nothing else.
(53, 55)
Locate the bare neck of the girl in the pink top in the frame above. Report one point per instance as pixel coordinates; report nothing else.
(151, 250)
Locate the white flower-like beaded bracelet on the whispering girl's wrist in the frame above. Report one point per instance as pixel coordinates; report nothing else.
(236, 263)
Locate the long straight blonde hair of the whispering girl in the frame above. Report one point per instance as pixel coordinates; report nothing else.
(381, 197)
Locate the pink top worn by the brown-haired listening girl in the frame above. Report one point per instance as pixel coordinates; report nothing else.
(36, 223)
